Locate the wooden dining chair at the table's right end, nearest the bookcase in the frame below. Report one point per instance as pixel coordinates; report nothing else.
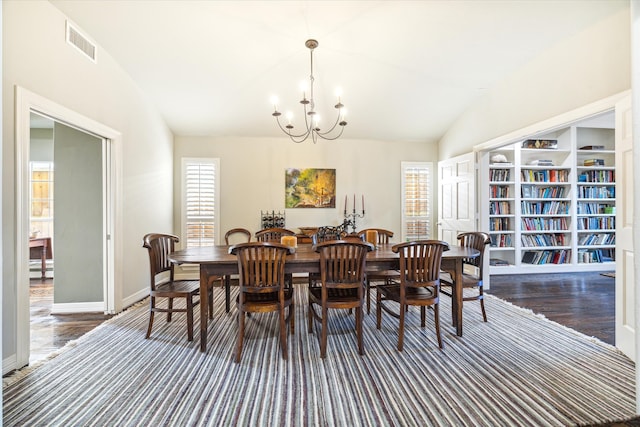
(472, 272)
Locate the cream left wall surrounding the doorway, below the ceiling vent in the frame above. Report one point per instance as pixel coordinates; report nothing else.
(37, 57)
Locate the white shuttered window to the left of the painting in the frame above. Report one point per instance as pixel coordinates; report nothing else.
(200, 211)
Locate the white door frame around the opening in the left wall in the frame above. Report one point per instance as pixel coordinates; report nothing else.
(26, 102)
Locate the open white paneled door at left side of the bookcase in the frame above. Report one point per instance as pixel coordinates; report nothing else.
(456, 197)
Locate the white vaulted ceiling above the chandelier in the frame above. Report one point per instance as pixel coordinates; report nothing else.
(407, 69)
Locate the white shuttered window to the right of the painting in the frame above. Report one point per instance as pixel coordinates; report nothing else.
(416, 200)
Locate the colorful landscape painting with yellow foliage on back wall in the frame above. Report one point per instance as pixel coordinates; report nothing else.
(310, 188)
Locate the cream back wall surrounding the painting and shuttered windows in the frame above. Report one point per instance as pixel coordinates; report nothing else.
(252, 177)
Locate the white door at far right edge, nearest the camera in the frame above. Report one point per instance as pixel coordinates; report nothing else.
(625, 292)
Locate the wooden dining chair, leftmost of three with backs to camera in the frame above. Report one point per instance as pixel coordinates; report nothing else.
(263, 288)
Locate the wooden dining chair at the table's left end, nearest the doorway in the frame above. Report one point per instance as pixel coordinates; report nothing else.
(159, 247)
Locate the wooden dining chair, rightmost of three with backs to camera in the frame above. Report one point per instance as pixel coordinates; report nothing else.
(419, 284)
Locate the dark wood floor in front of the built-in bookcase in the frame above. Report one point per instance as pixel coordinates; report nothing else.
(581, 301)
